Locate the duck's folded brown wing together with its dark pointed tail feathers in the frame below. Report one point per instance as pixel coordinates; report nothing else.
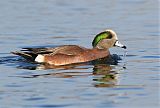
(31, 53)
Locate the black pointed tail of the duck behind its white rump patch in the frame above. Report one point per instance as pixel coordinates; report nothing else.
(27, 55)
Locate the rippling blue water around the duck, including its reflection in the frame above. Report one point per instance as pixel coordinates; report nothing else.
(47, 23)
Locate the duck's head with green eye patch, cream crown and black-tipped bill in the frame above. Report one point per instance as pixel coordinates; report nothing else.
(106, 39)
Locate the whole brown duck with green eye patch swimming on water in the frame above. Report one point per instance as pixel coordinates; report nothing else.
(73, 54)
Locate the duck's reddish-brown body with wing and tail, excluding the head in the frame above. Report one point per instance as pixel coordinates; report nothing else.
(62, 55)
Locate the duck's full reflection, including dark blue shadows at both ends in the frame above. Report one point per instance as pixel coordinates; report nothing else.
(103, 74)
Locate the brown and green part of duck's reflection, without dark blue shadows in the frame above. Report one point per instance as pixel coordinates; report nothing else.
(103, 74)
